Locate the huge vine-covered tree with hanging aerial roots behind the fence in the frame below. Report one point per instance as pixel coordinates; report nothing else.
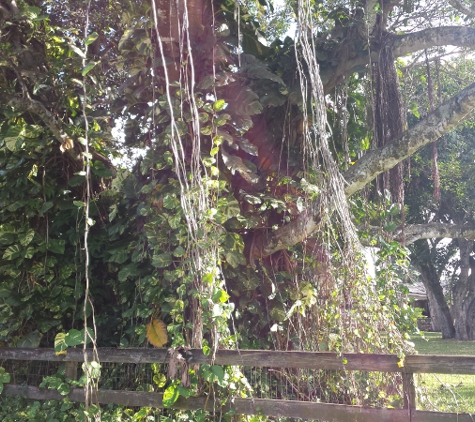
(240, 200)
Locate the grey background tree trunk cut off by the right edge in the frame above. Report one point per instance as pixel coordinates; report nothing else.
(464, 294)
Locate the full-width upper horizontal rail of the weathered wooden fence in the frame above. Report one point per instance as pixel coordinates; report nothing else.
(439, 364)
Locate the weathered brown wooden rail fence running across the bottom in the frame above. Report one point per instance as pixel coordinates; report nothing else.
(435, 364)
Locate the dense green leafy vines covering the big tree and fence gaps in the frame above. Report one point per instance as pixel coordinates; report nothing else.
(209, 157)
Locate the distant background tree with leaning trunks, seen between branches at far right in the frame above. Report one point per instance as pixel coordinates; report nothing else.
(443, 182)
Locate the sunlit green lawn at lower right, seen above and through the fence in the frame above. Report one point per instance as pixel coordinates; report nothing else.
(445, 393)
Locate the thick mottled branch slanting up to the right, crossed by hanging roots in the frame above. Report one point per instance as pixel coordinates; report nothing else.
(440, 121)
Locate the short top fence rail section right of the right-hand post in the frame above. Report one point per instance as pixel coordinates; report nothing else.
(440, 364)
